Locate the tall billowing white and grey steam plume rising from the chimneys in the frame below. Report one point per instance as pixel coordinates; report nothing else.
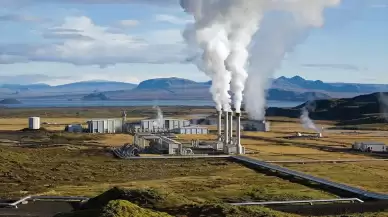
(231, 32)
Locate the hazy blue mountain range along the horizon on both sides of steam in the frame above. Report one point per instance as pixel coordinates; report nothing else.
(294, 89)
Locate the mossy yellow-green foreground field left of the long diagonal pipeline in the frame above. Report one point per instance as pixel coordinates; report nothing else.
(83, 171)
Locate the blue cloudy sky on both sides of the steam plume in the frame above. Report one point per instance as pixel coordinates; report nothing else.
(50, 42)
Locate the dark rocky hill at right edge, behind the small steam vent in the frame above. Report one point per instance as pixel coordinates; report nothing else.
(368, 108)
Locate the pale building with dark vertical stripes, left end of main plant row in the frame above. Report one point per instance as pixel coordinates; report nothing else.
(114, 125)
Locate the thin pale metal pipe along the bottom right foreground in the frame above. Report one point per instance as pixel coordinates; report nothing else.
(297, 201)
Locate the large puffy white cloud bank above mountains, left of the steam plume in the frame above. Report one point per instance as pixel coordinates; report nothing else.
(82, 42)
